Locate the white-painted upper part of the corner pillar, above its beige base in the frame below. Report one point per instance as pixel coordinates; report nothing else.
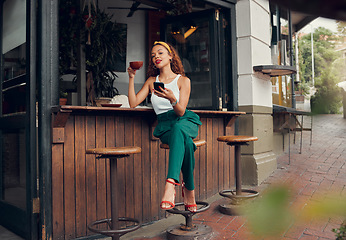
(253, 43)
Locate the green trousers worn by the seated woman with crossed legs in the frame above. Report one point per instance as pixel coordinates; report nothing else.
(178, 133)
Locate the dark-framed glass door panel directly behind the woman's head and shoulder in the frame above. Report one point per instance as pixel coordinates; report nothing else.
(200, 39)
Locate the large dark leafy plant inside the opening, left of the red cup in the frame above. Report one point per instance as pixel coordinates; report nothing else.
(102, 50)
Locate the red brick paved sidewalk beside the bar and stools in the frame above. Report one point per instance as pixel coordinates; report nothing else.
(320, 168)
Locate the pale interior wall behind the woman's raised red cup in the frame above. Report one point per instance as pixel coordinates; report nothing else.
(136, 41)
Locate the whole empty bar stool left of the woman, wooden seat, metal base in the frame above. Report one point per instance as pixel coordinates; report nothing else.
(114, 231)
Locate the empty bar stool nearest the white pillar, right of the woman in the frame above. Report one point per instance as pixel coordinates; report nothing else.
(238, 195)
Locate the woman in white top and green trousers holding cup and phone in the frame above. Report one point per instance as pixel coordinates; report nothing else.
(177, 126)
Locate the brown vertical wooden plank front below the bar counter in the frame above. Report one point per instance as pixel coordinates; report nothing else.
(81, 188)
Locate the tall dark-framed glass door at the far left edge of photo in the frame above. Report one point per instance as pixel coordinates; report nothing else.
(18, 191)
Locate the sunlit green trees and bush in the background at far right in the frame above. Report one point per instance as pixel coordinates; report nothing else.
(327, 69)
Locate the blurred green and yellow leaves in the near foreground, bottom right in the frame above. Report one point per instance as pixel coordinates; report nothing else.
(270, 215)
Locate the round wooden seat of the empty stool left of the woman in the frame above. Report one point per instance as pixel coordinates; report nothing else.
(114, 151)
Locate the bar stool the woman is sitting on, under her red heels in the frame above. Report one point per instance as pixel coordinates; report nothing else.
(188, 230)
